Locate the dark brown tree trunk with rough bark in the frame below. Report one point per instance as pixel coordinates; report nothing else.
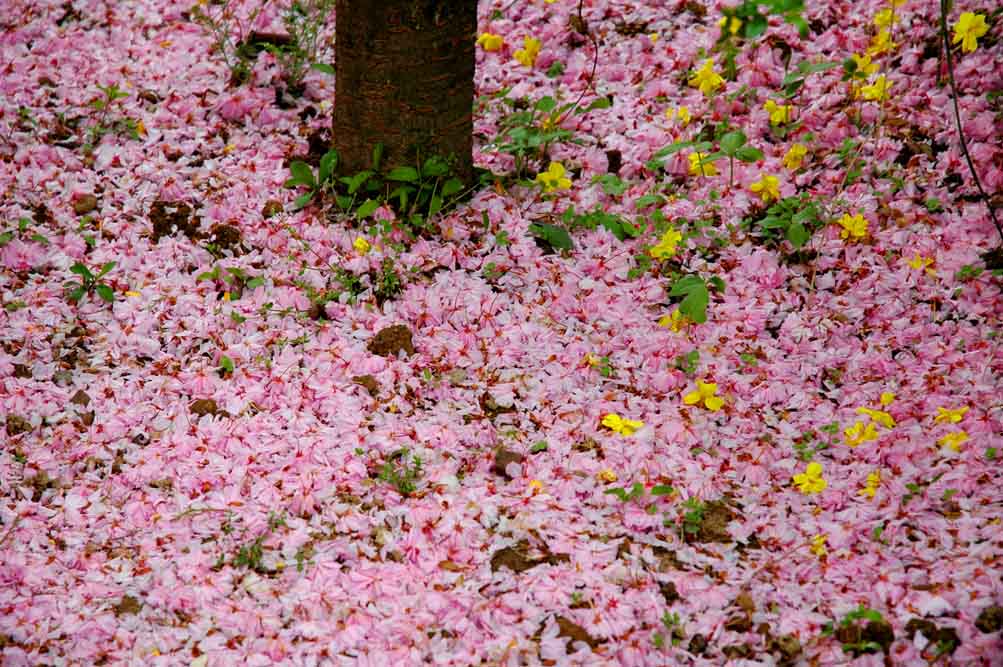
(406, 80)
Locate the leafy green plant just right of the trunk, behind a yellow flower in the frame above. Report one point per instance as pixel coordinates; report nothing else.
(528, 133)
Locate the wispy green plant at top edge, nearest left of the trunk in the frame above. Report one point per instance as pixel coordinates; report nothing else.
(304, 21)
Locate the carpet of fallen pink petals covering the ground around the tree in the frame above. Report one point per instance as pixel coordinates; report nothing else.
(122, 520)
